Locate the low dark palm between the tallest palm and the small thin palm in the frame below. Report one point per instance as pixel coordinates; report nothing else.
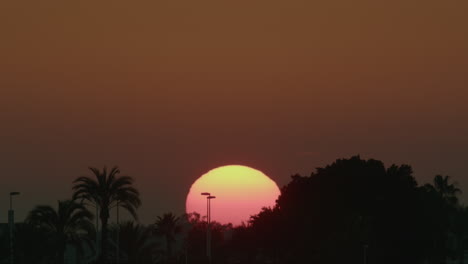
(136, 242)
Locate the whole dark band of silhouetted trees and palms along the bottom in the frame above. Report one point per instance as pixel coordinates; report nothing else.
(352, 211)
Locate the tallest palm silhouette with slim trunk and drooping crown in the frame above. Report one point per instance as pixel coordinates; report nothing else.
(106, 191)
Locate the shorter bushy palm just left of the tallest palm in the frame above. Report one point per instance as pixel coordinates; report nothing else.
(69, 225)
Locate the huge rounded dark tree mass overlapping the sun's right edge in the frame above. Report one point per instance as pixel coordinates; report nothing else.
(343, 208)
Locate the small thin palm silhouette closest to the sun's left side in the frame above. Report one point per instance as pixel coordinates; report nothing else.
(168, 226)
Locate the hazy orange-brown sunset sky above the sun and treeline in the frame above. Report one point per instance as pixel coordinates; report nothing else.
(170, 89)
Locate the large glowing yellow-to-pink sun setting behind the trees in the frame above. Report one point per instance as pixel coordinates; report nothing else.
(240, 192)
